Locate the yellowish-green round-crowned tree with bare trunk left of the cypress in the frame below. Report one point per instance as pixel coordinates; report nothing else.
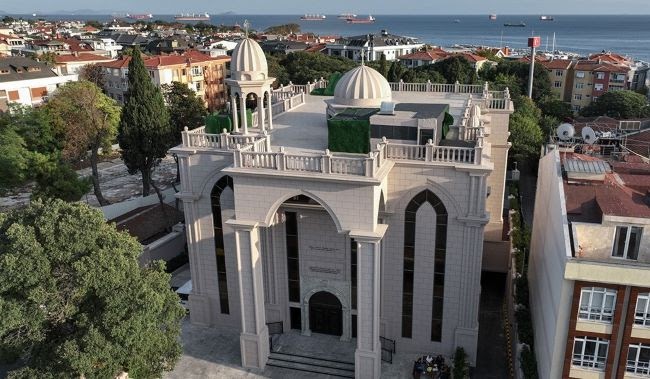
(89, 121)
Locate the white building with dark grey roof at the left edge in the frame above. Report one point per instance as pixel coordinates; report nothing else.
(27, 82)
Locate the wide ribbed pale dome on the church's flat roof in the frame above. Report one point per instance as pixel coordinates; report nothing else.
(362, 87)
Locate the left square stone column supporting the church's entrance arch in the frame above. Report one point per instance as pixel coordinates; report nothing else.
(254, 338)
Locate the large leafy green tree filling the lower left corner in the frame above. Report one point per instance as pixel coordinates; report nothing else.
(75, 301)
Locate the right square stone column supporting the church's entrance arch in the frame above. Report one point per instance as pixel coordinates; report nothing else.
(367, 357)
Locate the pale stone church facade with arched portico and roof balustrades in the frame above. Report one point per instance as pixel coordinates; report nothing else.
(337, 198)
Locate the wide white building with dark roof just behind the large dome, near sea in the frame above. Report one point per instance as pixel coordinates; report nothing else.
(373, 45)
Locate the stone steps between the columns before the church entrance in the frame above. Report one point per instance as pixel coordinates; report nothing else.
(312, 364)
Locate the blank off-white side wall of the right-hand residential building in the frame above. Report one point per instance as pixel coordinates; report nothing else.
(550, 293)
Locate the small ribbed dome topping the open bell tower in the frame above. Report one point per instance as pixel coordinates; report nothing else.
(248, 61)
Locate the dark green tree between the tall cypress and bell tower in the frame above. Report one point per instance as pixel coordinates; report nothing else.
(184, 107)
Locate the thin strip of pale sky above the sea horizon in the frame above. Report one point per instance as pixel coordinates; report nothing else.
(554, 7)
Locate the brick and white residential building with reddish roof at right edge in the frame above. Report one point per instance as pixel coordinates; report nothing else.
(589, 267)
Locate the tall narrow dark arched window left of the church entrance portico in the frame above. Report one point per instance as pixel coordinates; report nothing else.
(215, 196)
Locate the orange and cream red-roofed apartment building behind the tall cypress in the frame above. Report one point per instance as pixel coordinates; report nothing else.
(203, 74)
